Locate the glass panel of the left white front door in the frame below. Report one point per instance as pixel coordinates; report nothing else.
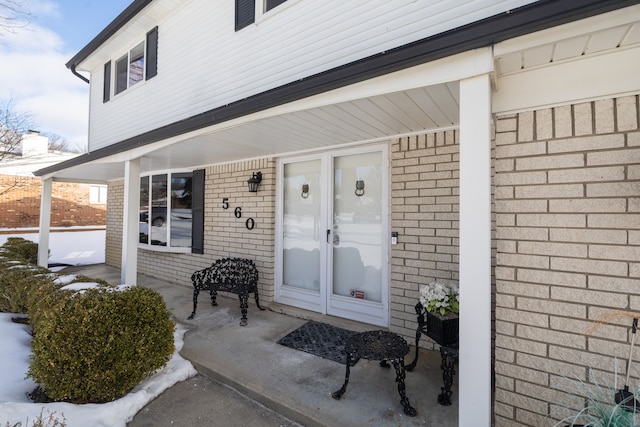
(301, 226)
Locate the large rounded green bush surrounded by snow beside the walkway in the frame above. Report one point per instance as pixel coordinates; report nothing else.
(95, 345)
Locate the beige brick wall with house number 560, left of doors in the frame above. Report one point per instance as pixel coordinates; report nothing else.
(225, 234)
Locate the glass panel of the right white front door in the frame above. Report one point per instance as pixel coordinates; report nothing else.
(357, 226)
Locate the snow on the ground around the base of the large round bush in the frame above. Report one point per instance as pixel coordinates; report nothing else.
(16, 407)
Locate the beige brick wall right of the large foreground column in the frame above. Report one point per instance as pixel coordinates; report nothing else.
(567, 190)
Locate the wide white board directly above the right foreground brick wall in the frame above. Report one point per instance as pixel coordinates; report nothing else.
(616, 74)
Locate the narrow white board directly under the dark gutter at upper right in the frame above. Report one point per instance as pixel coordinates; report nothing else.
(574, 29)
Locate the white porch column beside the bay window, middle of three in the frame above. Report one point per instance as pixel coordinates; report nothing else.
(130, 220)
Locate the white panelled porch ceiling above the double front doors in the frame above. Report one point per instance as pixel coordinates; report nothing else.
(368, 119)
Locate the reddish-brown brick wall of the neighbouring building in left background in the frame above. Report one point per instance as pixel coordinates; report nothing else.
(70, 206)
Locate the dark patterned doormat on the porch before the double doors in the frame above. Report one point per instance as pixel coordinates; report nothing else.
(319, 339)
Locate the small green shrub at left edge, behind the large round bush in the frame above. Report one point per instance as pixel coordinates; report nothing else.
(18, 283)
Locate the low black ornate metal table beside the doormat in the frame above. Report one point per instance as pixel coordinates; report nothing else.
(379, 345)
